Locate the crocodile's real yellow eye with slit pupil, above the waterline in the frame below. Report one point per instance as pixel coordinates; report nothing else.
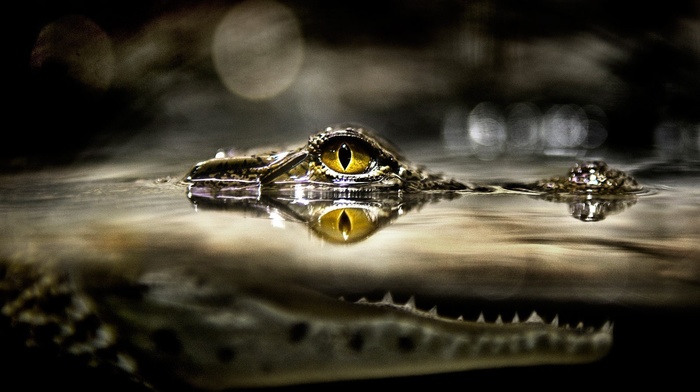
(347, 156)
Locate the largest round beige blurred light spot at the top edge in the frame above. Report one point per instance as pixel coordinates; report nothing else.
(258, 49)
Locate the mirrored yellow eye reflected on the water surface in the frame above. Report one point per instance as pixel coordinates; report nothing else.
(345, 225)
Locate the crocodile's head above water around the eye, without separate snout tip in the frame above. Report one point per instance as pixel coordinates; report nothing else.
(347, 157)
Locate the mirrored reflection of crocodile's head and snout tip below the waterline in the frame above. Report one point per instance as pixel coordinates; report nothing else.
(349, 219)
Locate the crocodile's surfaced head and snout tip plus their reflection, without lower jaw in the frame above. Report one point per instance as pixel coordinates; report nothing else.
(346, 182)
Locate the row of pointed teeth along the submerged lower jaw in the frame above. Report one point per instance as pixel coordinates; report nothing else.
(410, 306)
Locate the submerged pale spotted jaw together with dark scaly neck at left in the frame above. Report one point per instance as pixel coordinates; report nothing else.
(169, 327)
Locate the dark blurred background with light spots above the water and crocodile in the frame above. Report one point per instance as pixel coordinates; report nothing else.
(484, 78)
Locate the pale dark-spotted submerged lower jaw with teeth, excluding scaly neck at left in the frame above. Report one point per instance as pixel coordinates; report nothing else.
(260, 336)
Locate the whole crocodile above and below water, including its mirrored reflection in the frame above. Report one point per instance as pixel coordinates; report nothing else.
(164, 324)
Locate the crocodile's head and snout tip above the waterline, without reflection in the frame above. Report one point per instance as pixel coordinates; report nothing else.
(352, 159)
